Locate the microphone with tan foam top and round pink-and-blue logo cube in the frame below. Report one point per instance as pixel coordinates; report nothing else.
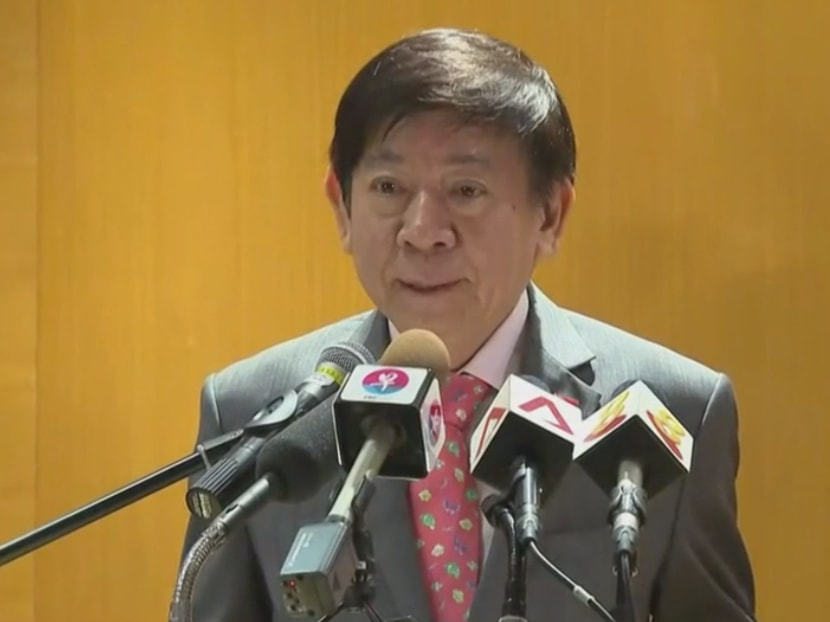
(387, 423)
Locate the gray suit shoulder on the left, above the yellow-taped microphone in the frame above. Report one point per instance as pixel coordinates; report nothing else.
(246, 385)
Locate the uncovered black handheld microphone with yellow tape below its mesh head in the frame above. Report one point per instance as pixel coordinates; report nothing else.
(227, 478)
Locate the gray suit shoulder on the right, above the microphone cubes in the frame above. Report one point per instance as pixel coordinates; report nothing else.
(633, 356)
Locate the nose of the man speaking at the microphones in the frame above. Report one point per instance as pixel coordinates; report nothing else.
(427, 225)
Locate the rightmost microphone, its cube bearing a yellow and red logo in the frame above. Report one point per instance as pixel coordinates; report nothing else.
(632, 448)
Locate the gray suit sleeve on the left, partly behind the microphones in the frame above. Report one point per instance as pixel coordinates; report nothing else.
(230, 587)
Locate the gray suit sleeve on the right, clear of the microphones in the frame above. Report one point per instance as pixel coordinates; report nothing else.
(707, 573)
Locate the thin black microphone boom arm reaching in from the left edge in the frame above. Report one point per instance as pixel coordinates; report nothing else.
(120, 498)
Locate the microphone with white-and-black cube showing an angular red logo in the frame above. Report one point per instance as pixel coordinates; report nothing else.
(534, 429)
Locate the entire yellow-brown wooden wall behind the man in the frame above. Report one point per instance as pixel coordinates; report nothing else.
(162, 214)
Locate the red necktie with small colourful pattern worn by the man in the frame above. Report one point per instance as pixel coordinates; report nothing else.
(445, 510)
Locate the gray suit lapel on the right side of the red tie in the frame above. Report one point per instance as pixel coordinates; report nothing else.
(552, 351)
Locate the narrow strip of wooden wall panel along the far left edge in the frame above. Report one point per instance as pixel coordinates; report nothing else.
(18, 294)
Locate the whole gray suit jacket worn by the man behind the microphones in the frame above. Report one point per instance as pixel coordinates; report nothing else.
(693, 565)
